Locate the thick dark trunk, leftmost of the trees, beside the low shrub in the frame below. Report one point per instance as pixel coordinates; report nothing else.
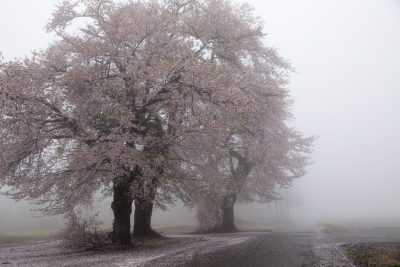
(122, 209)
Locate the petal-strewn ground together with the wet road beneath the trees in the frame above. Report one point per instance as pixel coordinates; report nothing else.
(283, 247)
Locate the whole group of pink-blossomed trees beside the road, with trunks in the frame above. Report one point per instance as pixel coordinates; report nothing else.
(147, 102)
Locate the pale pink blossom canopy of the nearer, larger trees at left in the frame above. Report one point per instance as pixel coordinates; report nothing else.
(123, 97)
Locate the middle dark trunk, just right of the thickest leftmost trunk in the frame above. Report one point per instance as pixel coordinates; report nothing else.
(142, 225)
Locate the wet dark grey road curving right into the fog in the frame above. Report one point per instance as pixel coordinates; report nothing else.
(291, 249)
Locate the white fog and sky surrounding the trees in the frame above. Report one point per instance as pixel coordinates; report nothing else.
(346, 90)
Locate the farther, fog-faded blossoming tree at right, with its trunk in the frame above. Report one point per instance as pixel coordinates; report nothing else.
(262, 154)
